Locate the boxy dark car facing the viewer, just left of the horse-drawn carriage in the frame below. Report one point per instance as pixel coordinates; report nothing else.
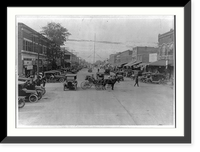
(70, 82)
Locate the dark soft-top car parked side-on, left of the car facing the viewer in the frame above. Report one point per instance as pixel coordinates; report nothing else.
(54, 76)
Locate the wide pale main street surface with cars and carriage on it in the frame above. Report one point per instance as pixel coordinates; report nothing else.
(148, 104)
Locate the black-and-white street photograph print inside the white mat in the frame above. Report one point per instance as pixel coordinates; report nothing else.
(95, 71)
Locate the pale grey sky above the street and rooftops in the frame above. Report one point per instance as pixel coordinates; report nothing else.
(130, 31)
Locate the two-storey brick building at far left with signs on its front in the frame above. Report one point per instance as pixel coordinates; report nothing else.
(31, 47)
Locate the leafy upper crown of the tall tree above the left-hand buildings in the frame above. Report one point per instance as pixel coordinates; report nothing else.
(56, 33)
